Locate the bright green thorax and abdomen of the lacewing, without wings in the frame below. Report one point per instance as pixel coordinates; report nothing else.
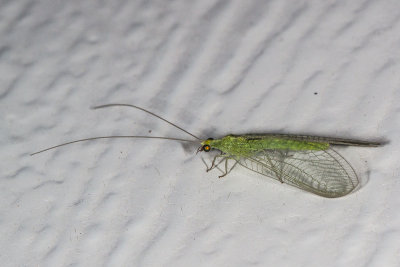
(248, 145)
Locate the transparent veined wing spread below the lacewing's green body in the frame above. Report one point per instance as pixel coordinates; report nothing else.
(325, 173)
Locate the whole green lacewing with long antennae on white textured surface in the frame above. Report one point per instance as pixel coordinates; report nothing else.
(307, 162)
